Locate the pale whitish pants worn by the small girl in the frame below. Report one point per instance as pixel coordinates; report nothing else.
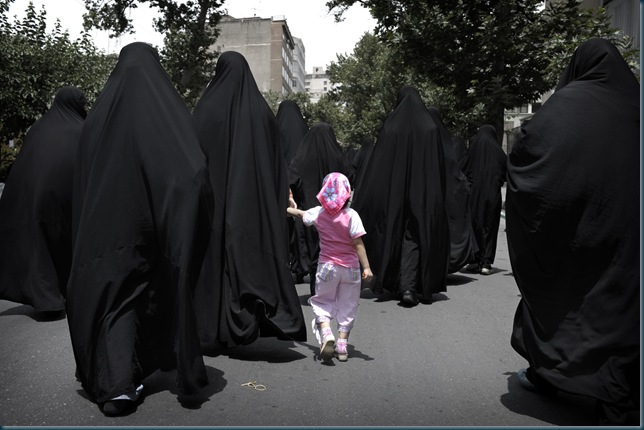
(337, 294)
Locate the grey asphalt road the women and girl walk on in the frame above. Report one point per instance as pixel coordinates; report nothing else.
(448, 363)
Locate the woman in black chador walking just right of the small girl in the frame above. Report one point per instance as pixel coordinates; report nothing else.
(401, 199)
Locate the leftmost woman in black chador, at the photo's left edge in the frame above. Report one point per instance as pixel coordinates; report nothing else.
(36, 208)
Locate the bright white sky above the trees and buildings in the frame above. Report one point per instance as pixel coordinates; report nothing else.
(306, 19)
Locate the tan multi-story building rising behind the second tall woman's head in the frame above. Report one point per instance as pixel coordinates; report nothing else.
(275, 57)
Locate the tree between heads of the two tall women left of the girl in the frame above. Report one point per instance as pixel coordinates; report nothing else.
(190, 29)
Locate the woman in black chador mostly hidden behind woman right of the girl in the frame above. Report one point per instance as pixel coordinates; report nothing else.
(457, 202)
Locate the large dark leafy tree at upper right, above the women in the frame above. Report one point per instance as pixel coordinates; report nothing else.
(488, 54)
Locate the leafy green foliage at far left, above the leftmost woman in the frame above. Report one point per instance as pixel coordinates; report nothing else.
(34, 65)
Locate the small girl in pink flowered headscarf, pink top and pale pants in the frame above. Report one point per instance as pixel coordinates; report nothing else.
(342, 252)
